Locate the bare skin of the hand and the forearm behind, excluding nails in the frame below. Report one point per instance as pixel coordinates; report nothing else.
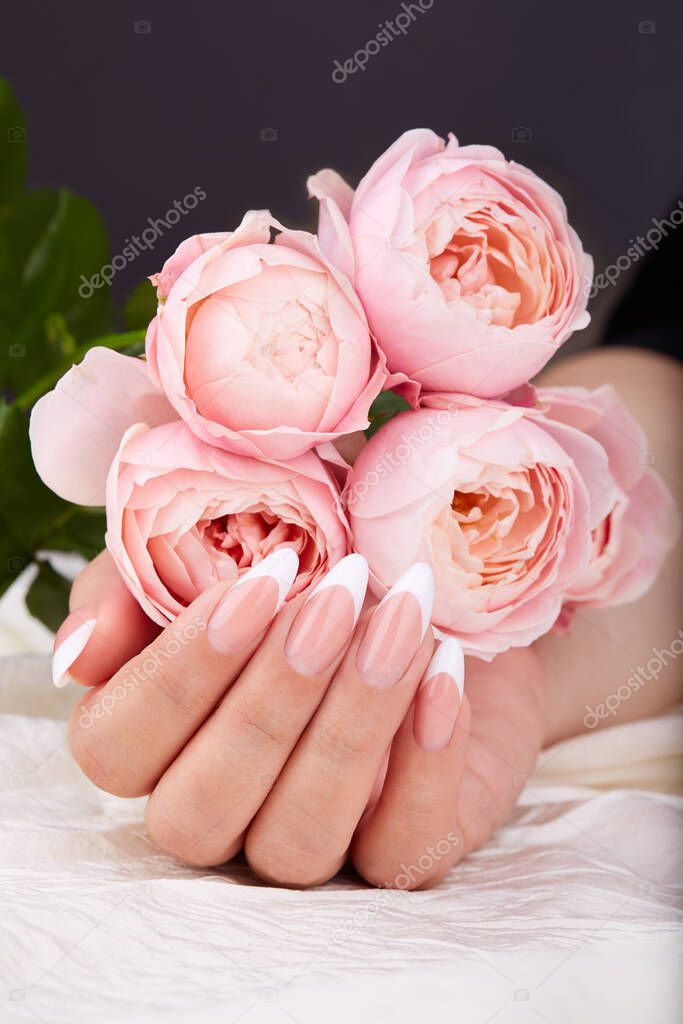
(241, 753)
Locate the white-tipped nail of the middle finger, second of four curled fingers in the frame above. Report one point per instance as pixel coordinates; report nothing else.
(325, 624)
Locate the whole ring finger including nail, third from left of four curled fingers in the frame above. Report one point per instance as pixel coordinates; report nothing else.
(303, 833)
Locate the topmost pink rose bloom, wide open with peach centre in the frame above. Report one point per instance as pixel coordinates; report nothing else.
(468, 270)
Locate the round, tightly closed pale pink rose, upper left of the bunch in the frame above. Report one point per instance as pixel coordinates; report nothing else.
(264, 349)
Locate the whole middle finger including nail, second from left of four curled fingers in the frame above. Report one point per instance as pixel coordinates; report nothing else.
(212, 791)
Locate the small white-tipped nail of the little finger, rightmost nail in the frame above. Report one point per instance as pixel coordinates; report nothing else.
(440, 697)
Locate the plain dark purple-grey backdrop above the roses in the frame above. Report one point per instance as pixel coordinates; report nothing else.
(136, 121)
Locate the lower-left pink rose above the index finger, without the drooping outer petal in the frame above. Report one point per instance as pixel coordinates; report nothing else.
(183, 516)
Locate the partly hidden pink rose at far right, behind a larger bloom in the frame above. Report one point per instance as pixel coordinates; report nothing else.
(631, 543)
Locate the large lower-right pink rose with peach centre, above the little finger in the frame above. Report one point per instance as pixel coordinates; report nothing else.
(498, 499)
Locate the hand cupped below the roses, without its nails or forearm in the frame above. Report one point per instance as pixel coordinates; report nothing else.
(240, 751)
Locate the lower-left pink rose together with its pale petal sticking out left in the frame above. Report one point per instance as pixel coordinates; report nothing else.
(182, 516)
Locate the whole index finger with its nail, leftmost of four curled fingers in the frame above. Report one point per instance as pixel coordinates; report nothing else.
(126, 734)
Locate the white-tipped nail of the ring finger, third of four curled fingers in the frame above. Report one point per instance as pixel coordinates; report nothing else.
(397, 628)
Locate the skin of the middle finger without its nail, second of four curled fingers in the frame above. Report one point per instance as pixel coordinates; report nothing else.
(207, 798)
